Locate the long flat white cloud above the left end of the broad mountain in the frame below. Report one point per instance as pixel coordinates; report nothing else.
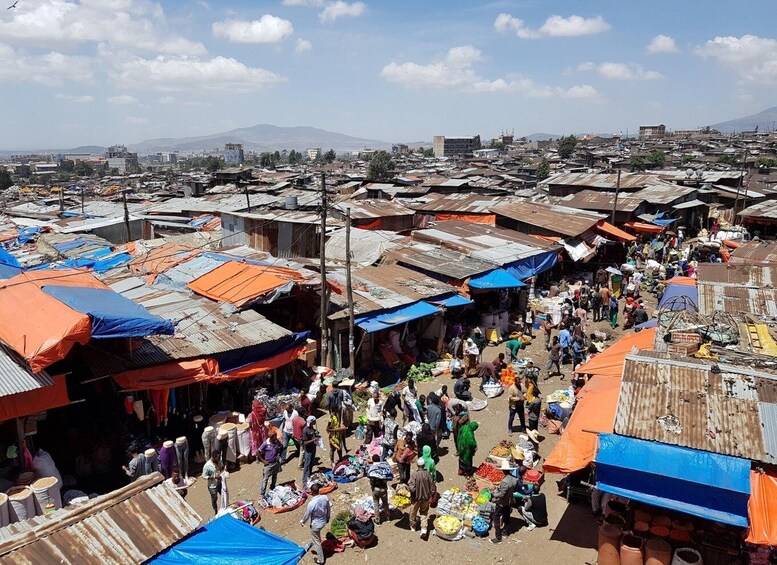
(192, 73)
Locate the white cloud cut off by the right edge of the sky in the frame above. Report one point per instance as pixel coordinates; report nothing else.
(753, 57)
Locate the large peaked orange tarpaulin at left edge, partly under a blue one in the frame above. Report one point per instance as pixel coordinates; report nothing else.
(36, 325)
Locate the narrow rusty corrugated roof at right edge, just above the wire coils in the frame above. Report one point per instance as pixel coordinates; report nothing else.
(735, 299)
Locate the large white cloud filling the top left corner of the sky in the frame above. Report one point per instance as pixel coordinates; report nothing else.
(134, 24)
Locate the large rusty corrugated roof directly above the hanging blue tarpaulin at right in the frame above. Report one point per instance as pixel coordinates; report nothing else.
(687, 404)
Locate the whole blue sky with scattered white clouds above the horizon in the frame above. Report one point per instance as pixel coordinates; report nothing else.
(78, 72)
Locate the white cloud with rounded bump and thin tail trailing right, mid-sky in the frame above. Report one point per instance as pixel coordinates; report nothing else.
(454, 71)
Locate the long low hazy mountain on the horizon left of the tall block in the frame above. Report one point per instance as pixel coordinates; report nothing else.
(263, 137)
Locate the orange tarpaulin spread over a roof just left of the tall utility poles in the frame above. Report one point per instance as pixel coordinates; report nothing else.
(239, 283)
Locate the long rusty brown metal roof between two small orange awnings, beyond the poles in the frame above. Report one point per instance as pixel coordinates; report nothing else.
(559, 219)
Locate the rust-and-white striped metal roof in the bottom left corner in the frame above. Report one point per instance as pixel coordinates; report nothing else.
(129, 525)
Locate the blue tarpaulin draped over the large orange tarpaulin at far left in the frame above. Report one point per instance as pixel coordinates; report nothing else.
(113, 315)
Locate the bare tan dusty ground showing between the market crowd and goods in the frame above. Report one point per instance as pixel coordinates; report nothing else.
(569, 539)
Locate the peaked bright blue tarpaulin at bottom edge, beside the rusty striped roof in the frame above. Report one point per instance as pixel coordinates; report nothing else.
(229, 540)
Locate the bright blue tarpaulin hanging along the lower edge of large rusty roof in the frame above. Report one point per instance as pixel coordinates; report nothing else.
(716, 487)
